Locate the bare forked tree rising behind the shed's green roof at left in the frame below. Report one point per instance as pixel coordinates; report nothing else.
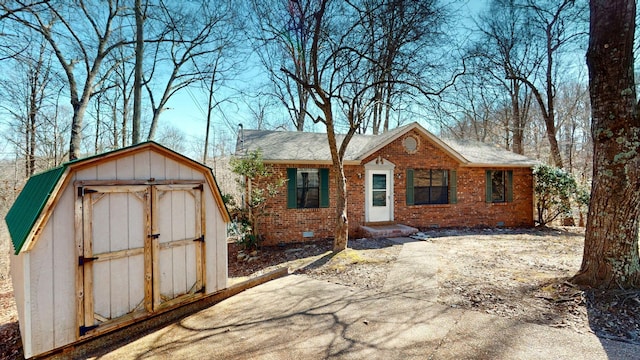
(78, 32)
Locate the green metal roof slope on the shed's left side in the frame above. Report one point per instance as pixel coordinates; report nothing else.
(27, 208)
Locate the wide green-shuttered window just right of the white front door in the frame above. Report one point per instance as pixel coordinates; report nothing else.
(431, 186)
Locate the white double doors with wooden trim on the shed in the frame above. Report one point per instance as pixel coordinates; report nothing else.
(142, 249)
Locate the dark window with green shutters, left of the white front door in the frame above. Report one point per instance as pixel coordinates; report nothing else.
(307, 188)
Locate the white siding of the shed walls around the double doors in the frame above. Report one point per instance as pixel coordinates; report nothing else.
(45, 278)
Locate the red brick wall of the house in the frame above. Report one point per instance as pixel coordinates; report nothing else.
(282, 225)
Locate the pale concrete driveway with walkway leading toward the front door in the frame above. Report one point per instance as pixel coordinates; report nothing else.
(296, 317)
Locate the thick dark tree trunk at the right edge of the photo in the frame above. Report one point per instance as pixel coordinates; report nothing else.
(611, 242)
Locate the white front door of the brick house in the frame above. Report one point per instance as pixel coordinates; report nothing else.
(379, 197)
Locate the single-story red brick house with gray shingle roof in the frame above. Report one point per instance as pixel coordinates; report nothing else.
(406, 176)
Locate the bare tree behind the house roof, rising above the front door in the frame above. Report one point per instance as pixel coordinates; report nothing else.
(401, 32)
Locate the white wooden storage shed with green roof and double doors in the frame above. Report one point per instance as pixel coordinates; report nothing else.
(108, 240)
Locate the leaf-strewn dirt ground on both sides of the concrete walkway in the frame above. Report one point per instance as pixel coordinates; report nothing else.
(521, 274)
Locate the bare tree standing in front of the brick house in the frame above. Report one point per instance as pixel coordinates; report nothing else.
(341, 86)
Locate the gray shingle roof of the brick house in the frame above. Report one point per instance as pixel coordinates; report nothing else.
(295, 146)
